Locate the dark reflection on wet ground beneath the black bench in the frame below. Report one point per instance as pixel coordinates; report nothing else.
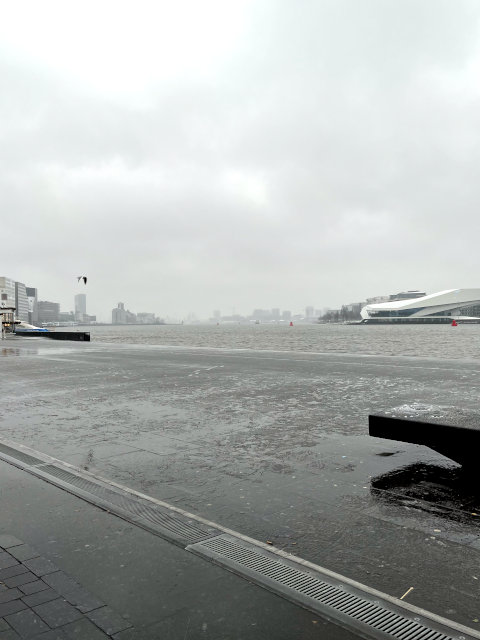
(450, 492)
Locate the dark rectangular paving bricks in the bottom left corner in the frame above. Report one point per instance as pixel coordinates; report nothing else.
(39, 601)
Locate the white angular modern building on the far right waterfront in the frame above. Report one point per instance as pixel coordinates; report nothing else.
(463, 305)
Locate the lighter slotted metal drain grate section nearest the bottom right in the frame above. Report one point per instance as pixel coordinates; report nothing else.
(332, 600)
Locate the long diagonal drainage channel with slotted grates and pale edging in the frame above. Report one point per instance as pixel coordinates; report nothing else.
(367, 612)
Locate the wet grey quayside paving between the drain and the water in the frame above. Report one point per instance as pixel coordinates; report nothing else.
(273, 445)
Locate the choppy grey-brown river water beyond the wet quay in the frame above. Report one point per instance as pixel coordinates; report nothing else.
(437, 341)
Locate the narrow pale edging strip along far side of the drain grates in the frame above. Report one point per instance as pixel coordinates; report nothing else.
(412, 609)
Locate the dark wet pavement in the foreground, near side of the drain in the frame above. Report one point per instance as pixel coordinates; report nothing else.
(135, 585)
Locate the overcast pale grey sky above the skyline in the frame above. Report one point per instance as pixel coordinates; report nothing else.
(191, 156)
